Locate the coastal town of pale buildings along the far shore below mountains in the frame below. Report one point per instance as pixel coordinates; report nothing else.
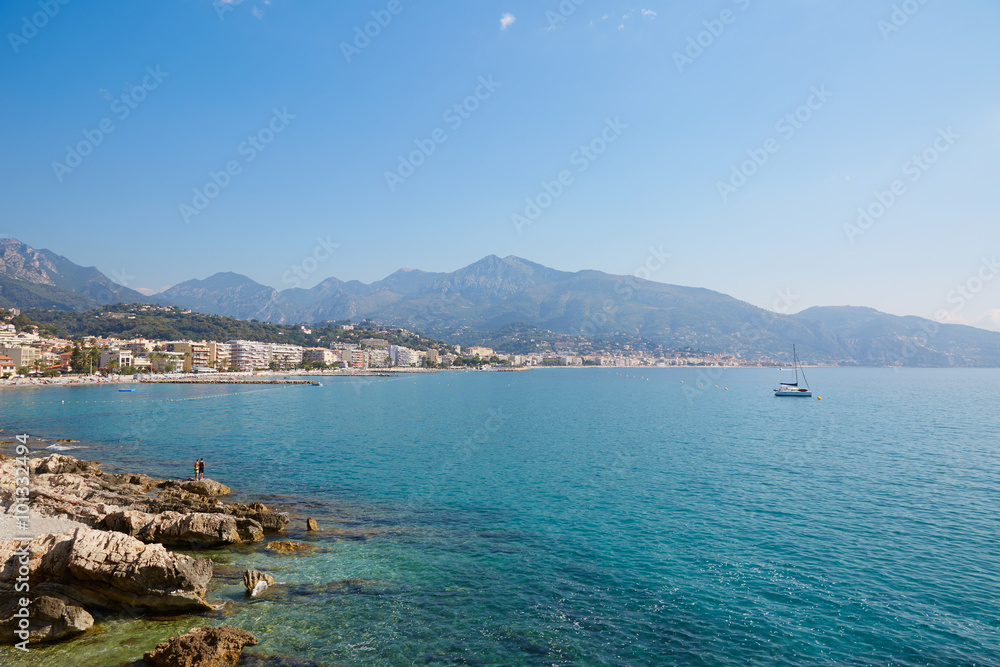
(26, 350)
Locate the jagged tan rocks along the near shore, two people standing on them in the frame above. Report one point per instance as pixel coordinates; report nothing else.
(100, 548)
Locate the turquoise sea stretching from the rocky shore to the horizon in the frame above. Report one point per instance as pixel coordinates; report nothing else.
(592, 516)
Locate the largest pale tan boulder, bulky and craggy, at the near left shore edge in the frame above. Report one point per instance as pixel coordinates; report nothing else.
(110, 570)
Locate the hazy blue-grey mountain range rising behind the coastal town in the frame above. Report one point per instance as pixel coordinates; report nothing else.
(493, 293)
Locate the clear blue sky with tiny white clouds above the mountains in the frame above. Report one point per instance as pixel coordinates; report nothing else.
(320, 130)
